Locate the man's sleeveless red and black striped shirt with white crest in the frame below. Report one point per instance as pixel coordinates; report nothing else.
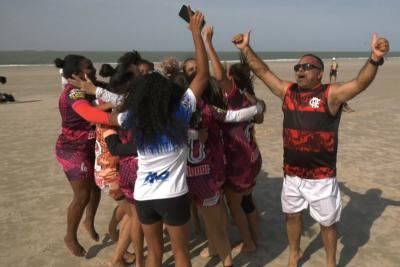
(310, 133)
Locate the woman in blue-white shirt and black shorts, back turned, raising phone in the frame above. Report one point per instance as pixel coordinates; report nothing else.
(158, 114)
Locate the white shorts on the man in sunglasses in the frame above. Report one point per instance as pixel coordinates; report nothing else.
(323, 196)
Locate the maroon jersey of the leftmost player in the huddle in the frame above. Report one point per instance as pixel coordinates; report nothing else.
(75, 130)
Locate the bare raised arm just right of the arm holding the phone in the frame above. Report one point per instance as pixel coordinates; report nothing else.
(219, 71)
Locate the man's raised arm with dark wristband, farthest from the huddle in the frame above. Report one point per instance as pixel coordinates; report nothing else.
(340, 93)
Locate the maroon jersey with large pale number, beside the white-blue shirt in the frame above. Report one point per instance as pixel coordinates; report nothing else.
(207, 160)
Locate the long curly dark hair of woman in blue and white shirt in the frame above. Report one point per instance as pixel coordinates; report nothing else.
(152, 107)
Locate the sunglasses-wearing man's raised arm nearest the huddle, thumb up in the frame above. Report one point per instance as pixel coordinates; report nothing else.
(260, 69)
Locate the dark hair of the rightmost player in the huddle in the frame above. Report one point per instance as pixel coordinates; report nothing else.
(241, 74)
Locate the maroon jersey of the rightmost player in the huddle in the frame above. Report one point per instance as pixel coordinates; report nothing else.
(243, 159)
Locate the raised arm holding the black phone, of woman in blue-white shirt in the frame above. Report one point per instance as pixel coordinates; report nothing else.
(202, 74)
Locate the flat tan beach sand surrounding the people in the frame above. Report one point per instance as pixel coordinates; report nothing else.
(34, 192)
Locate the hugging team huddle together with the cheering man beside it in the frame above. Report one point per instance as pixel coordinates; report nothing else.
(165, 145)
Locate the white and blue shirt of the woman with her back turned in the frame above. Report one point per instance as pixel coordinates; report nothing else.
(162, 172)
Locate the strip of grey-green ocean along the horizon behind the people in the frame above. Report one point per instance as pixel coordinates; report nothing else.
(9, 58)
